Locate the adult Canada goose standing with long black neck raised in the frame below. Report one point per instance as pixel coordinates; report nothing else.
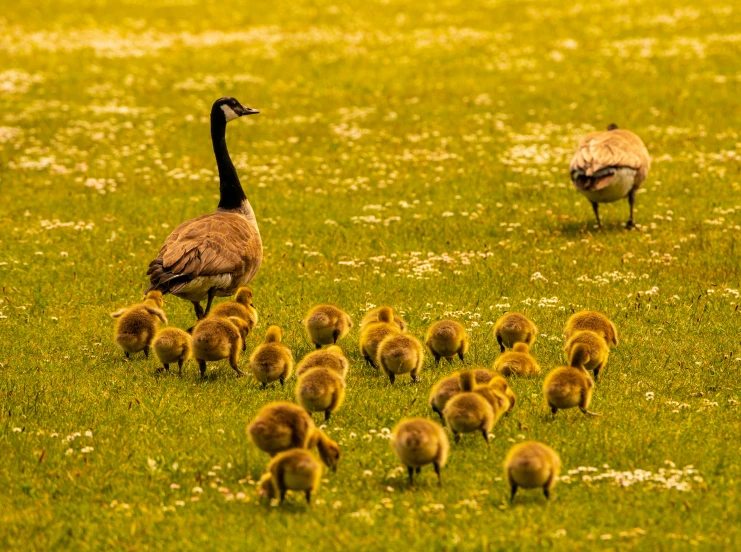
(213, 255)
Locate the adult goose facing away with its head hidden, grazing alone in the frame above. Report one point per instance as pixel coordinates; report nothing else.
(609, 166)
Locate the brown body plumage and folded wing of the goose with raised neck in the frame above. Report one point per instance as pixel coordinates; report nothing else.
(209, 245)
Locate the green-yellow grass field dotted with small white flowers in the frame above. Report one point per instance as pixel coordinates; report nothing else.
(407, 153)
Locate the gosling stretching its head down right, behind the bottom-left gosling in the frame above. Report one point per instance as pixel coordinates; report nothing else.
(280, 426)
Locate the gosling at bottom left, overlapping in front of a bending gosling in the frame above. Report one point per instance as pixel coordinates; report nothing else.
(292, 470)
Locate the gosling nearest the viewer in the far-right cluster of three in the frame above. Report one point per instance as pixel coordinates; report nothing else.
(570, 386)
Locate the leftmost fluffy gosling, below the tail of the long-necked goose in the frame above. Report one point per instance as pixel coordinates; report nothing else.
(137, 325)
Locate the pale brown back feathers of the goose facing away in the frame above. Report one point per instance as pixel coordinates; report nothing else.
(614, 148)
